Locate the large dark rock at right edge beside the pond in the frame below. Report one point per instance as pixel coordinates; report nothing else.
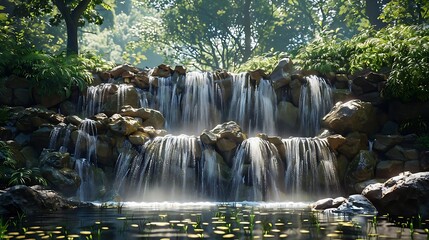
(405, 195)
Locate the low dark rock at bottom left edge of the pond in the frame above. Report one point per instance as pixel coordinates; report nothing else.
(32, 200)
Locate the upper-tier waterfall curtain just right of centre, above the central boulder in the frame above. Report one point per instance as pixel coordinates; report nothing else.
(253, 108)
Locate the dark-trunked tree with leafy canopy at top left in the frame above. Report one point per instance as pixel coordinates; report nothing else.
(74, 13)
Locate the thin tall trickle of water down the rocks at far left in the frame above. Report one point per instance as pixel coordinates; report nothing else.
(85, 152)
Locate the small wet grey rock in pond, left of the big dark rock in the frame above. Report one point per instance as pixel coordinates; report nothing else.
(355, 204)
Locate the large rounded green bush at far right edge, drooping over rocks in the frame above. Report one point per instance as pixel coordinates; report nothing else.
(404, 52)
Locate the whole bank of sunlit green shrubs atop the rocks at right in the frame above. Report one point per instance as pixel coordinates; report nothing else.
(402, 51)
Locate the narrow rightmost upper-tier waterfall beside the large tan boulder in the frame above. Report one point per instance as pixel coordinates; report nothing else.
(315, 101)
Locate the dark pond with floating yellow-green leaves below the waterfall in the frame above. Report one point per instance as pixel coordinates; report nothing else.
(208, 220)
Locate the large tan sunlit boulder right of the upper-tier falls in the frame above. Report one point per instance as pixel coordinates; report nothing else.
(351, 116)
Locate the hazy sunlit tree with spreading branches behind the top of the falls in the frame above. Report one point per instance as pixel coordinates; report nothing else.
(214, 34)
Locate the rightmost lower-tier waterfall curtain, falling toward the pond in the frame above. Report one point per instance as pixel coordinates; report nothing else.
(309, 167)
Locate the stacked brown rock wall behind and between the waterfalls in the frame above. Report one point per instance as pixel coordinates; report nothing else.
(362, 128)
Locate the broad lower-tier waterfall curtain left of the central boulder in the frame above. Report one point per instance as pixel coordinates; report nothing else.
(168, 169)
